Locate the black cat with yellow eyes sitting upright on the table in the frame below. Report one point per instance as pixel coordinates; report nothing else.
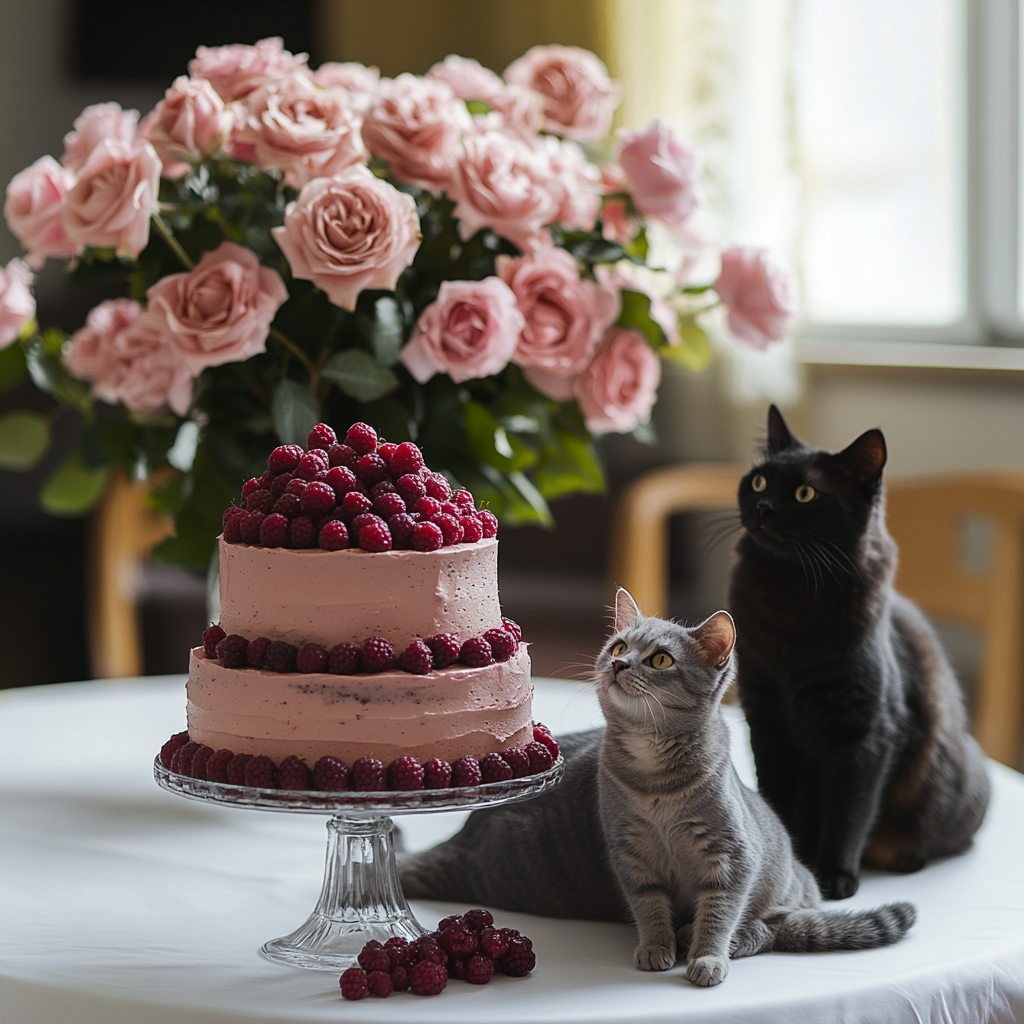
(857, 719)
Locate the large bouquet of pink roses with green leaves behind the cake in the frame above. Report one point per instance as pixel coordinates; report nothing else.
(439, 257)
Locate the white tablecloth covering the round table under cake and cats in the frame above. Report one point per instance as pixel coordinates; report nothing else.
(122, 905)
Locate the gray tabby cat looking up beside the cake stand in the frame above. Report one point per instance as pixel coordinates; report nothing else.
(652, 824)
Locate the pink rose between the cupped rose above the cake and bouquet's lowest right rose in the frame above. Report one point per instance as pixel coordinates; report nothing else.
(565, 317)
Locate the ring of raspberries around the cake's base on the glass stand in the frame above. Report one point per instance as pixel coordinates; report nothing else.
(186, 757)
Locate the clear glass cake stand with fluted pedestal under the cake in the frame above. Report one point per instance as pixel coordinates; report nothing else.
(362, 899)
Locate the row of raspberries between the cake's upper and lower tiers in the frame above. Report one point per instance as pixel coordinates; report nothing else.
(374, 655)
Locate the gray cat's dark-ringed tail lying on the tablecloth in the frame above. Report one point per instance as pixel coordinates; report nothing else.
(820, 931)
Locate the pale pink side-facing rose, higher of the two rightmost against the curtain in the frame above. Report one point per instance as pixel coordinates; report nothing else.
(662, 173)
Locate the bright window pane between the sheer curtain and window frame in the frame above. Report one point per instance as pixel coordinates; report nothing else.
(881, 140)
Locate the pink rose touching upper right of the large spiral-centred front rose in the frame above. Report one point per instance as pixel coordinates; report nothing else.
(415, 124)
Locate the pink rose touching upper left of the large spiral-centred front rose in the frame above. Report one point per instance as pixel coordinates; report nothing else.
(307, 132)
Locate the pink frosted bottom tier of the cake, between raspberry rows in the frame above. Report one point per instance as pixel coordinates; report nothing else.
(446, 714)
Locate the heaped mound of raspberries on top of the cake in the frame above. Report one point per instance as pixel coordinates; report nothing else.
(359, 494)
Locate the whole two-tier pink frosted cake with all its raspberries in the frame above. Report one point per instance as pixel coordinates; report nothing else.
(361, 643)
